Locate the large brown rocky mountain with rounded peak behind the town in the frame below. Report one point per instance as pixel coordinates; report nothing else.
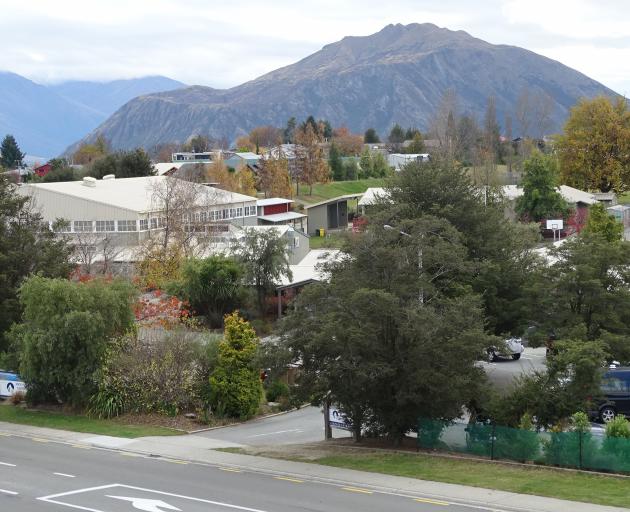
(396, 75)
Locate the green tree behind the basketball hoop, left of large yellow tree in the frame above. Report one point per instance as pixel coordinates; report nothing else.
(541, 199)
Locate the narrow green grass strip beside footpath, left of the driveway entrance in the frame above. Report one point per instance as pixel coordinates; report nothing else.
(78, 423)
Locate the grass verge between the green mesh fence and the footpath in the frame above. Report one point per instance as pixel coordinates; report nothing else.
(552, 483)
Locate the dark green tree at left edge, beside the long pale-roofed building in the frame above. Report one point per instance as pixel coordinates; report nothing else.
(26, 247)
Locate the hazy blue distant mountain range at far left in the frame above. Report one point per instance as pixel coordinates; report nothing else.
(46, 119)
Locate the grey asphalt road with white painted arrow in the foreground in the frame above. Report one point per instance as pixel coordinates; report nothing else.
(39, 476)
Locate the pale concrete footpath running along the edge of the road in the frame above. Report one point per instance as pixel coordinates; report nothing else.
(203, 450)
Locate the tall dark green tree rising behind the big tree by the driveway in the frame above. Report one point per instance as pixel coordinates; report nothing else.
(504, 251)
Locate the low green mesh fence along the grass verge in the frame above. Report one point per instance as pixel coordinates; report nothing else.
(565, 449)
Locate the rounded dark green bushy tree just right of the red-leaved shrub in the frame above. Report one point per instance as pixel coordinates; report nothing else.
(212, 286)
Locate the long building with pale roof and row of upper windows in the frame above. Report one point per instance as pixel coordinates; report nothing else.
(133, 207)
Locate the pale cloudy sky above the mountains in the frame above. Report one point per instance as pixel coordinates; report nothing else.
(224, 43)
